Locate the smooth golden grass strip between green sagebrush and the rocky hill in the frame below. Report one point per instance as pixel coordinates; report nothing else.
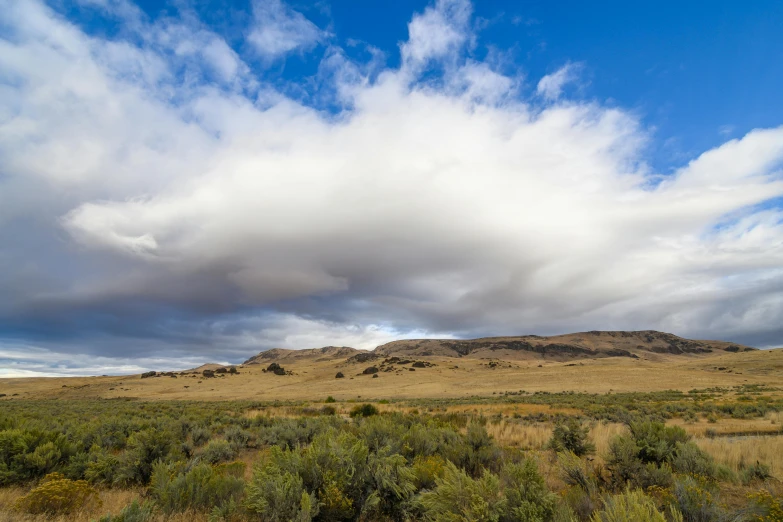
(451, 377)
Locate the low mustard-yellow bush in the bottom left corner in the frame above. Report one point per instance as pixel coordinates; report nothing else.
(57, 495)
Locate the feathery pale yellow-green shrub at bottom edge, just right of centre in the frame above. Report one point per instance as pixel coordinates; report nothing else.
(457, 496)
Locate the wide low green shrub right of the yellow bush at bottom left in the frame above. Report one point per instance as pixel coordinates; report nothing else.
(197, 489)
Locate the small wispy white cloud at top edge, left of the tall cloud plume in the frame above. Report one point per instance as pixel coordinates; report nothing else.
(280, 30)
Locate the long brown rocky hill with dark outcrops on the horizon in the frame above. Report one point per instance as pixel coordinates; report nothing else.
(593, 344)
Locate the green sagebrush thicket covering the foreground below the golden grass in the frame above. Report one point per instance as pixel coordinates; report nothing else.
(348, 461)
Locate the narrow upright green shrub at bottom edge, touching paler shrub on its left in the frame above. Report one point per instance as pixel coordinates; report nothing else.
(527, 496)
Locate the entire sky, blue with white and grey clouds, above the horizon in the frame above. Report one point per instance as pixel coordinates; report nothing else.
(193, 181)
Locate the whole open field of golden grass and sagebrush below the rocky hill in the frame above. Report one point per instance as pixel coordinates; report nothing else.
(228, 439)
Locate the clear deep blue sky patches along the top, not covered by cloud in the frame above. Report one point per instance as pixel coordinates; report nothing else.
(696, 72)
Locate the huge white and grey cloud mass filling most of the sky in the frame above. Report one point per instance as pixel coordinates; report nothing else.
(159, 185)
